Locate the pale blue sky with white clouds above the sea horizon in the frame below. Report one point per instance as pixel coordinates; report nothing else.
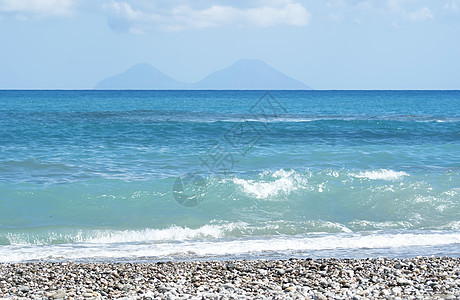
(336, 44)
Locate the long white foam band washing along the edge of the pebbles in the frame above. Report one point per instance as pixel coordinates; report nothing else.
(229, 248)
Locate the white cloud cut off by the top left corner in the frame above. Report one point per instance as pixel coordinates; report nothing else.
(25, 9)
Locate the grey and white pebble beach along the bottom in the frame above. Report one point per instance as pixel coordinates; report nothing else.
(411, 278)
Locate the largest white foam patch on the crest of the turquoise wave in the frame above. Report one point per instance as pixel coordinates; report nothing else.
(280, 182)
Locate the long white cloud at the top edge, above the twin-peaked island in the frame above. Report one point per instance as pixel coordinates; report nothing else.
(139, 16)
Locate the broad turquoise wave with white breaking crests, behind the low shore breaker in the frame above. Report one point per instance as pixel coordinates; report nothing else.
(385, 198)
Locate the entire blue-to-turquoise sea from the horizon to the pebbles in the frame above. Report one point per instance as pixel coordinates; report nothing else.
(180, 175)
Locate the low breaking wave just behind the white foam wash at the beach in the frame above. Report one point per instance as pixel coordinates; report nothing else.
(212, 232)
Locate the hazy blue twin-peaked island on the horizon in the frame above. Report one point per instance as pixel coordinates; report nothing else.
(245, 74)
